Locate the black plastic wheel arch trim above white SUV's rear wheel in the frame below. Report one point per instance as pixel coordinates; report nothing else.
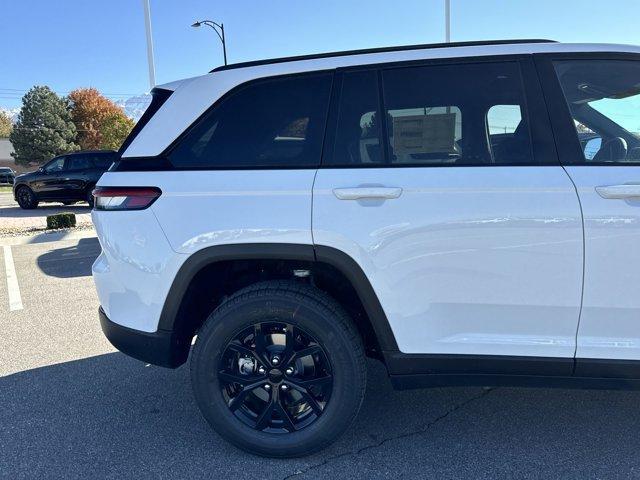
(176, 318)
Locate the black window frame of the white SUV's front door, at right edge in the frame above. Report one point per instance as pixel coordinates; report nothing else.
(567, 142)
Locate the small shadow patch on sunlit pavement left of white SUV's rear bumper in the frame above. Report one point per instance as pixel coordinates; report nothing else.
(72, 261)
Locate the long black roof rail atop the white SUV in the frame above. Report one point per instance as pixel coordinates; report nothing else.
(401, 48)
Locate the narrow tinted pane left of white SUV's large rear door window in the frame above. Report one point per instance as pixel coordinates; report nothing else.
(358, 129)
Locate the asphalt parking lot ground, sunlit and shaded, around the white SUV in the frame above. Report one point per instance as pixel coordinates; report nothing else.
(72, 407)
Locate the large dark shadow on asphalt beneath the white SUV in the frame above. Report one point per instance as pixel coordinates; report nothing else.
(112, 416)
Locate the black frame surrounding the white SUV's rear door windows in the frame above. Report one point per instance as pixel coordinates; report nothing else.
(540, 131)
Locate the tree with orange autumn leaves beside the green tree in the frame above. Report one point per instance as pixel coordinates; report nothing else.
(100, 122)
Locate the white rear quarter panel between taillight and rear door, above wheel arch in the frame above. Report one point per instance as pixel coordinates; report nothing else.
(198, 209)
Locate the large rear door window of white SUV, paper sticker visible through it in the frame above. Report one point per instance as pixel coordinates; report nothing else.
(439, 115)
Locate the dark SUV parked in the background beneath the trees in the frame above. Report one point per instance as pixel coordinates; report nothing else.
(68, 179)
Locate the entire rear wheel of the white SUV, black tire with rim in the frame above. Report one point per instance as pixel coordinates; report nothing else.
(309, 314)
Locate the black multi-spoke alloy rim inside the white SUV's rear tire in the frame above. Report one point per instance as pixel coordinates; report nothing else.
(275, 377)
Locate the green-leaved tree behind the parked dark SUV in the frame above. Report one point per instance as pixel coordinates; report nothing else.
(44, 128)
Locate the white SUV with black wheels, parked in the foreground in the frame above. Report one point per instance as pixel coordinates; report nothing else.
(466, 213)
